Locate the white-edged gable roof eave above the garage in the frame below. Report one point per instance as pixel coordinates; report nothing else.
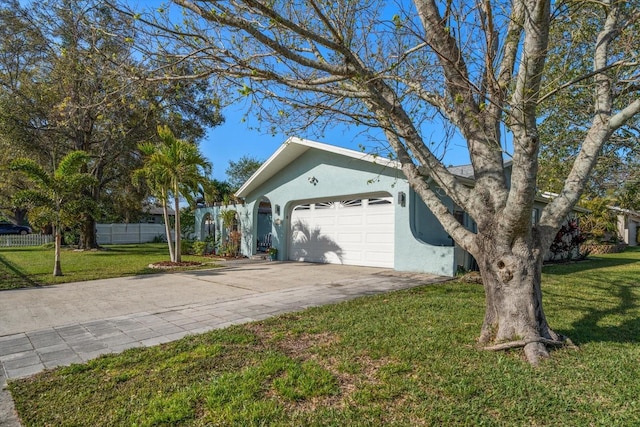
(293, 148)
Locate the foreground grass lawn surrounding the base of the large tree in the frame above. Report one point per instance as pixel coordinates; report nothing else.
(401, 359)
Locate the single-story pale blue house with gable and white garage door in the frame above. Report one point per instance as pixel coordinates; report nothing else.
(321, 203)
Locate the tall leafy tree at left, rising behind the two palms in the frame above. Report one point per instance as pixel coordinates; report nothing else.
(70, 81)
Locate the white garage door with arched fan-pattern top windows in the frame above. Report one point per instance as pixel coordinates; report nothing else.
(353, 232)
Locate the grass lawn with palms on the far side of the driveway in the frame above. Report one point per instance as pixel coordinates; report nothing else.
(33, 266)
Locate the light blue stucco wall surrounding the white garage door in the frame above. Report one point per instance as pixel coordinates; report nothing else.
(339, 177)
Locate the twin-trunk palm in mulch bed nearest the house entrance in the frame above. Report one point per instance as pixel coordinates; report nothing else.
(173, 167)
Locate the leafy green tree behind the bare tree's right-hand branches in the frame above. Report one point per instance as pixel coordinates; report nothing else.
(566, 116)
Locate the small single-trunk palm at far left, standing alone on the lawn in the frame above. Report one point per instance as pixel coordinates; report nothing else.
(54, 197)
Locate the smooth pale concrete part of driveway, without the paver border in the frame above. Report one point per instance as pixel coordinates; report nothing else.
(34, 309)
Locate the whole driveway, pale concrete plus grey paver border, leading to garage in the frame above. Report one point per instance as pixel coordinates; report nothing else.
(58, 325)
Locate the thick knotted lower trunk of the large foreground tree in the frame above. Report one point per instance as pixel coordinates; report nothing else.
(514, 317)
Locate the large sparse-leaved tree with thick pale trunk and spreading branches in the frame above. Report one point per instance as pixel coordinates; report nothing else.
(474, 66)
